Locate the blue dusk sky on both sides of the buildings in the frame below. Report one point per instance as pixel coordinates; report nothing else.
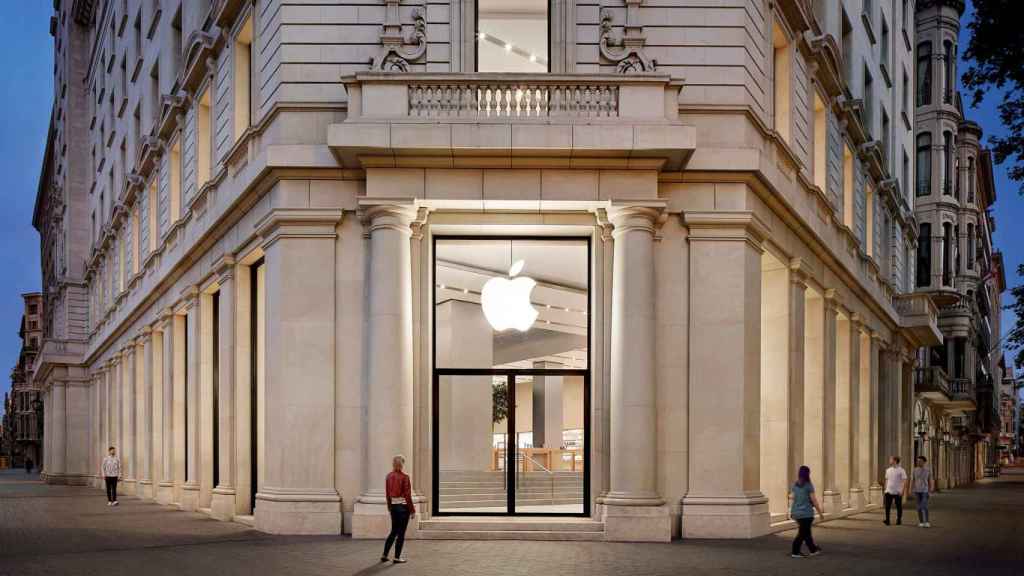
(27, 93)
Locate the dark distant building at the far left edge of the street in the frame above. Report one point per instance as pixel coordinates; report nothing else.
(22, 439)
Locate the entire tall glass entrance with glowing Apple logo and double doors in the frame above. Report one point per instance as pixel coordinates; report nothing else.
(511, 387)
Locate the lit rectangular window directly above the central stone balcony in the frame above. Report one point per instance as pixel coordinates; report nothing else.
(513, 37)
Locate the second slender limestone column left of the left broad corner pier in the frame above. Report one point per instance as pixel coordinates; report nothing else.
(191, 488)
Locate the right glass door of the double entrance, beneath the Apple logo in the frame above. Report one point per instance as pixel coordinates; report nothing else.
(550, 430)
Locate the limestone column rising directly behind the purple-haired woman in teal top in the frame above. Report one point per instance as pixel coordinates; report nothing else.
(798, 300)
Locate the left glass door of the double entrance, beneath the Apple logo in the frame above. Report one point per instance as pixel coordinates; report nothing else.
(473, 435)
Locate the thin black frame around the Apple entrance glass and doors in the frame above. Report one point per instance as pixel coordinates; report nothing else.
(511, 444)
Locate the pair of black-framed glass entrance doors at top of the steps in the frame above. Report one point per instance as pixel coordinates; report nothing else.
(511, 443)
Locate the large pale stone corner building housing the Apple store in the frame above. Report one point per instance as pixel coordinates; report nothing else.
(279, 241)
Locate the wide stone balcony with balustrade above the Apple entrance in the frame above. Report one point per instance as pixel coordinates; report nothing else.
(503, 120)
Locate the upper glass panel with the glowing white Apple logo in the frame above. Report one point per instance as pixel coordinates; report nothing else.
(493, 315)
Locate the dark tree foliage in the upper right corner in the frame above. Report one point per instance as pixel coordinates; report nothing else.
(996, 56)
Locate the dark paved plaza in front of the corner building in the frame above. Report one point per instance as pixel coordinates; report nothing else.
(70, 530)
